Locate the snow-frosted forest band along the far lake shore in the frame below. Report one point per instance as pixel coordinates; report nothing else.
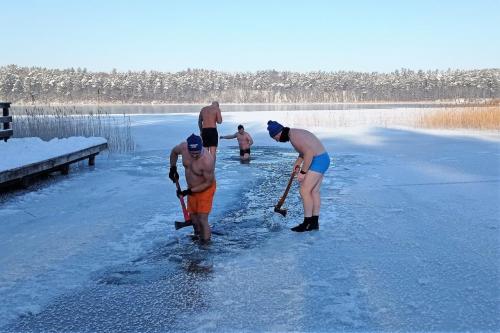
(41, 85)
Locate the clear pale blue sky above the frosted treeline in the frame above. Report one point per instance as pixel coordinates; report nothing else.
(251, 35)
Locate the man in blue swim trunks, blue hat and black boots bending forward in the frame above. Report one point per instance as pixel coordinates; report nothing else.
(313, 161)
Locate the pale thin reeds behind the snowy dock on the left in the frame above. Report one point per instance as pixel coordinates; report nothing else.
(62, 122)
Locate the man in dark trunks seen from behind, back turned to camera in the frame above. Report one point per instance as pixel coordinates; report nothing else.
(209, 117)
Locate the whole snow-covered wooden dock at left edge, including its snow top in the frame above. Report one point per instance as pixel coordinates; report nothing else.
(27, 158)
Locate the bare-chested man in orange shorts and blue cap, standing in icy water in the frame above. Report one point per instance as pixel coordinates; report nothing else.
(200, 178)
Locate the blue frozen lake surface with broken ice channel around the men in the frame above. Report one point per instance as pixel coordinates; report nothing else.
(408, 240)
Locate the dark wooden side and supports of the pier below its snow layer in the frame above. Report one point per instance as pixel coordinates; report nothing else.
(24, 174)
